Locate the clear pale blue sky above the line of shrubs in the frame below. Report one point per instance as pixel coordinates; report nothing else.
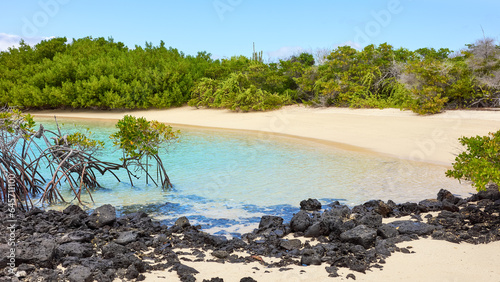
(229, 27)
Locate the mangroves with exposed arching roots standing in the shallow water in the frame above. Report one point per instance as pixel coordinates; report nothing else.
(71, 158)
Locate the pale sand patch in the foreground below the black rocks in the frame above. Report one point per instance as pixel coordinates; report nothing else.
(433, 260)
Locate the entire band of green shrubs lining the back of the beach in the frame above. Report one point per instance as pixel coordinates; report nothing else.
(103, 74)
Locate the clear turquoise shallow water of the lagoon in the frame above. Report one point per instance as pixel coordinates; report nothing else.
(225, 181)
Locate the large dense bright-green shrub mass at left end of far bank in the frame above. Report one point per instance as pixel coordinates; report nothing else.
(97, 73)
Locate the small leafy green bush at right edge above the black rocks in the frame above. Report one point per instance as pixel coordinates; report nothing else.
(480, 162)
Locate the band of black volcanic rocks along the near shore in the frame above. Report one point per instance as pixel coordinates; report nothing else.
(74, 245)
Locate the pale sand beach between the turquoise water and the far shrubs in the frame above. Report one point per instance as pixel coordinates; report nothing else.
(390, 131)
